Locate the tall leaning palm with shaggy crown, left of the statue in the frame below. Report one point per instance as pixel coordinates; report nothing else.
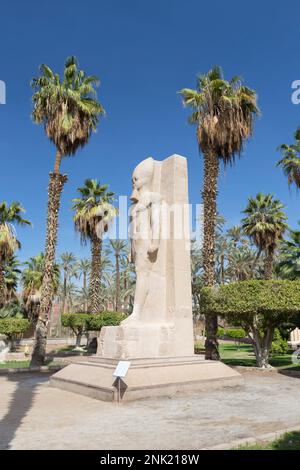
(69, 111)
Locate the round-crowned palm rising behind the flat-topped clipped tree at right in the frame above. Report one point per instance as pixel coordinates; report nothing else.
(265, 225)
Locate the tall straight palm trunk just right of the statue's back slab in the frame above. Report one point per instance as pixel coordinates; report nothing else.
(211, 173)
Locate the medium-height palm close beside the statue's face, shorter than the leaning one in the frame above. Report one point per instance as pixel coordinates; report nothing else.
(93, 213)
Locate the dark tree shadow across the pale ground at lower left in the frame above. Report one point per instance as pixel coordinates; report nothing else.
(21, 401)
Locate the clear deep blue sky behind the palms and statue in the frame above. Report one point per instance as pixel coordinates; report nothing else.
(144, 52)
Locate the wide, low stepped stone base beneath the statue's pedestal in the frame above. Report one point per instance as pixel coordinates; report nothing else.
(146, 378)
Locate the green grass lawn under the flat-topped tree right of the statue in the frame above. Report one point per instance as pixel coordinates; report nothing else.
(244, 356)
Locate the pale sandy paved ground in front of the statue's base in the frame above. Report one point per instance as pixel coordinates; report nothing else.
(35, 416)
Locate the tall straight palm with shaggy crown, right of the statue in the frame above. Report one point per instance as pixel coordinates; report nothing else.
(223, 112)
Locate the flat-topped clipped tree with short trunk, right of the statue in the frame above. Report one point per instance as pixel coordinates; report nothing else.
(257, 306)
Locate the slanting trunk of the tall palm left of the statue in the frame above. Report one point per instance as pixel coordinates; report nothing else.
(55, 188)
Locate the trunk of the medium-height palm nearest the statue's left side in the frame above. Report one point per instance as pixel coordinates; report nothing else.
(96, 272)
